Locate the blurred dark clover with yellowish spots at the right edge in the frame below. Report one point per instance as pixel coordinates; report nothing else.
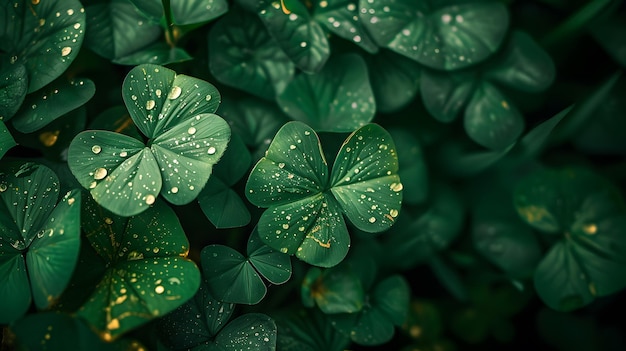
(587, 214)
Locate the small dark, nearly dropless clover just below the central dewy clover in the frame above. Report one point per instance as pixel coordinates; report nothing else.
(233, 278)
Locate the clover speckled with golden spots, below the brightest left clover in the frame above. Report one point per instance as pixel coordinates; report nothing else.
(145, 272)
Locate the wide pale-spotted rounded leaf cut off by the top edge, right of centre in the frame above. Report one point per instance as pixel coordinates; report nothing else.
(444, 35)
